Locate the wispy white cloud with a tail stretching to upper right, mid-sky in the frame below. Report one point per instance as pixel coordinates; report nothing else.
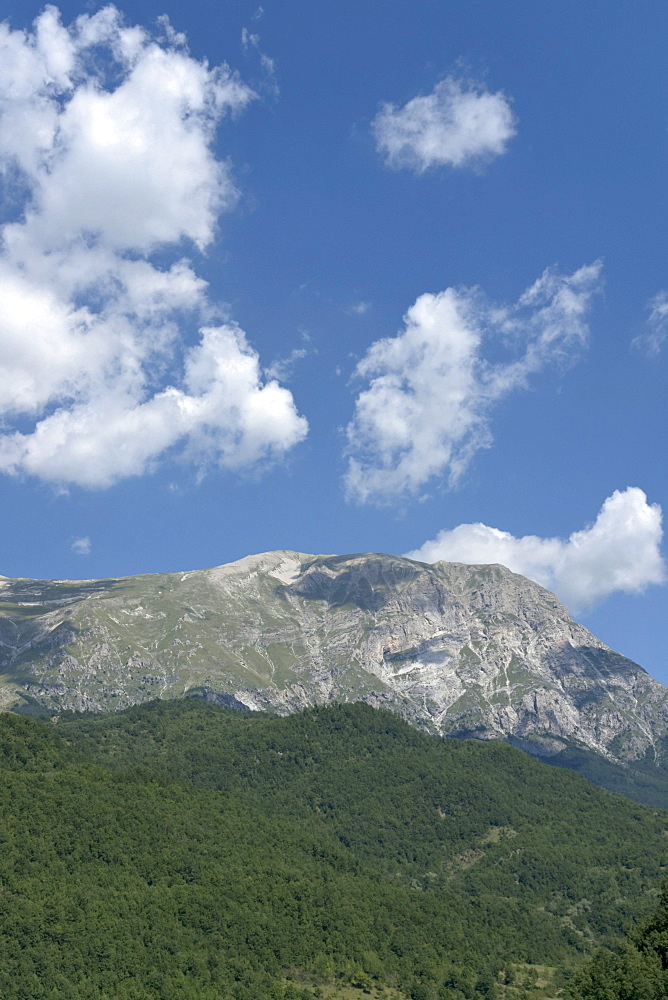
(426, 410)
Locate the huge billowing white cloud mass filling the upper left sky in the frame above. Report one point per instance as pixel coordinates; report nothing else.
(106, 140)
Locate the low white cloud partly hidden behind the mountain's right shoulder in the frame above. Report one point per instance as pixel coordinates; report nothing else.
(619, 552)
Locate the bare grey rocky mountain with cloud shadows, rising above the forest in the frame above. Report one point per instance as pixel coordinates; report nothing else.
(456, 649)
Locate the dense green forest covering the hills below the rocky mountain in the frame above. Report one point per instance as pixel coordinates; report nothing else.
(181, 850)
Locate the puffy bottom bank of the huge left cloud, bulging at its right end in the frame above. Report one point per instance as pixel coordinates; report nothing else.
(224, 415)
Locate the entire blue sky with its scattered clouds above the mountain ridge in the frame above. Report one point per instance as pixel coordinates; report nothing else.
(342, 278)
